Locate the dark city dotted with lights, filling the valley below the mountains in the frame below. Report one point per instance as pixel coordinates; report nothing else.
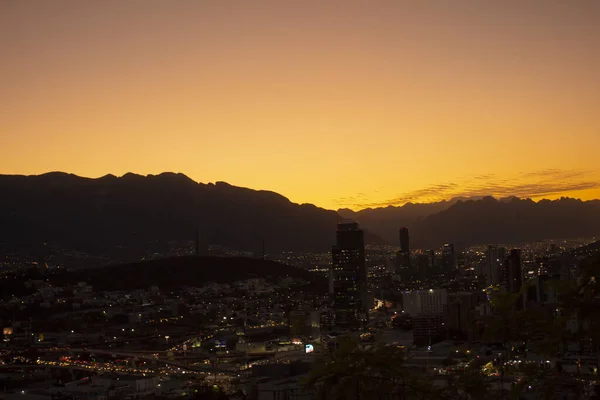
(491, 313)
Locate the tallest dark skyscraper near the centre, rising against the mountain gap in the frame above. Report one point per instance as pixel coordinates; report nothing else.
(349, 275)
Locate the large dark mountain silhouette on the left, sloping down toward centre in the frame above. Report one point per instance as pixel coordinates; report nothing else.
(98, 214)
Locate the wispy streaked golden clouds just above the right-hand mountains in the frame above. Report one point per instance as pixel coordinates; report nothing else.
(535, 184)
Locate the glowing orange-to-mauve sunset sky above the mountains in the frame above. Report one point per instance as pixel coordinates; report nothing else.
(336, 103)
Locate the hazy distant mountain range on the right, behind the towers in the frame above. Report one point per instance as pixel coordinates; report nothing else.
(483, 220)
